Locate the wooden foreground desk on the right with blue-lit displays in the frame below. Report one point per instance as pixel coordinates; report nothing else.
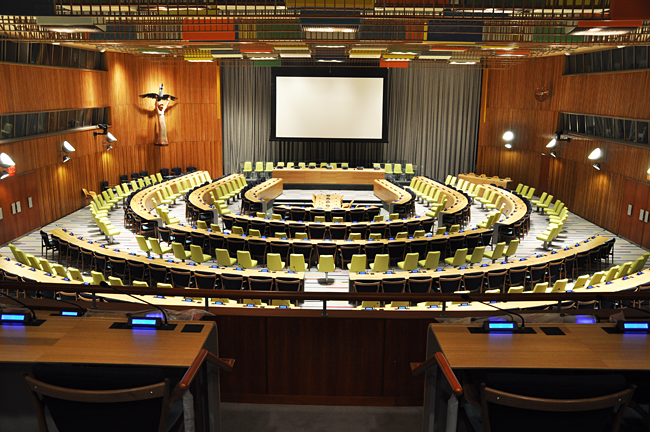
(573, 347)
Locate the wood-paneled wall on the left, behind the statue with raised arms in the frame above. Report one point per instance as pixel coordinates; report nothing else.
(193, 123)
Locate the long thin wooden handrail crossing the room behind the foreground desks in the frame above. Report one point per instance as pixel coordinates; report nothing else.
(244, 294)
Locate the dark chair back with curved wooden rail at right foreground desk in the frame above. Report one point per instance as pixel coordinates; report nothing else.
(564, 403)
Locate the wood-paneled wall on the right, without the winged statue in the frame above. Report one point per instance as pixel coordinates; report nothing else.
(510, 105)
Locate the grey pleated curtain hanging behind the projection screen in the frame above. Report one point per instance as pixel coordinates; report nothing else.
(433, 120)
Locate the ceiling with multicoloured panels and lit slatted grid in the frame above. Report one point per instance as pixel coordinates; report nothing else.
(391, 33)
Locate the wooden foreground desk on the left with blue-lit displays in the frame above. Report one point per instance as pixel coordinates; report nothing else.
(91, 341)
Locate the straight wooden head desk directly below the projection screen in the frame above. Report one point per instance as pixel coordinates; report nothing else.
(327, 176)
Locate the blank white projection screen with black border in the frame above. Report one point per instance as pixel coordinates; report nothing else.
(319, 104)
